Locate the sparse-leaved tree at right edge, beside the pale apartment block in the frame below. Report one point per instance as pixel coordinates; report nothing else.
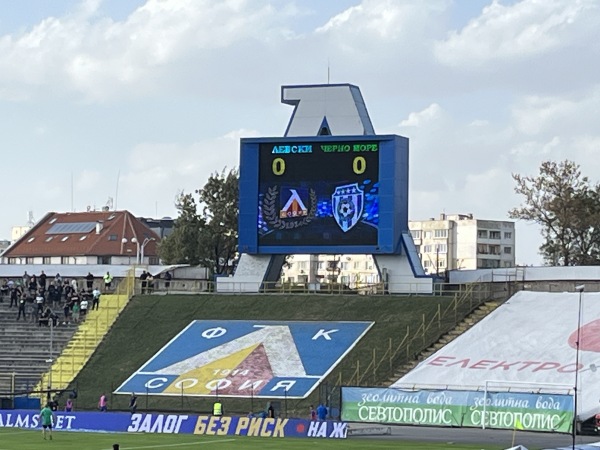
(567, 207)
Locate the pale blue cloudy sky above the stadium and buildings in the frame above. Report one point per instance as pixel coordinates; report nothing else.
(138, 100)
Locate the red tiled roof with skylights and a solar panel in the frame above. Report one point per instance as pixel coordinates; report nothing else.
(95, 233)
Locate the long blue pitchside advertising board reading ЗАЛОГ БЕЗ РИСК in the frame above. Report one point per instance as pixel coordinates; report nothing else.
(177, 424)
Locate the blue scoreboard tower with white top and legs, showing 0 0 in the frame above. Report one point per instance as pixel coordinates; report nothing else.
(329, 186)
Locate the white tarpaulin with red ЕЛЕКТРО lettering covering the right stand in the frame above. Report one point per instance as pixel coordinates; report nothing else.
(527, 344)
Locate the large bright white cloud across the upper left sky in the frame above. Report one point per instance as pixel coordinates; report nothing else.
(103, 59)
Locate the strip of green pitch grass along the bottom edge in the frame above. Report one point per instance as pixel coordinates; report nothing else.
(15, 439)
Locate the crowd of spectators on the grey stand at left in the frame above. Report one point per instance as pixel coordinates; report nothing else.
(50, 301)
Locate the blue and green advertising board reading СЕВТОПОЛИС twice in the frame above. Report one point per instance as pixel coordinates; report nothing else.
(508, 410)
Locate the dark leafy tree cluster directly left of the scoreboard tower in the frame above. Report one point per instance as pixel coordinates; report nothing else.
(209, 236)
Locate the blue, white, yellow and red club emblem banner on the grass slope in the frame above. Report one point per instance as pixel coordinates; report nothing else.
(236, 358)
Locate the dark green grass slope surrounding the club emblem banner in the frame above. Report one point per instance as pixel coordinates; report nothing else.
(149, 322)
